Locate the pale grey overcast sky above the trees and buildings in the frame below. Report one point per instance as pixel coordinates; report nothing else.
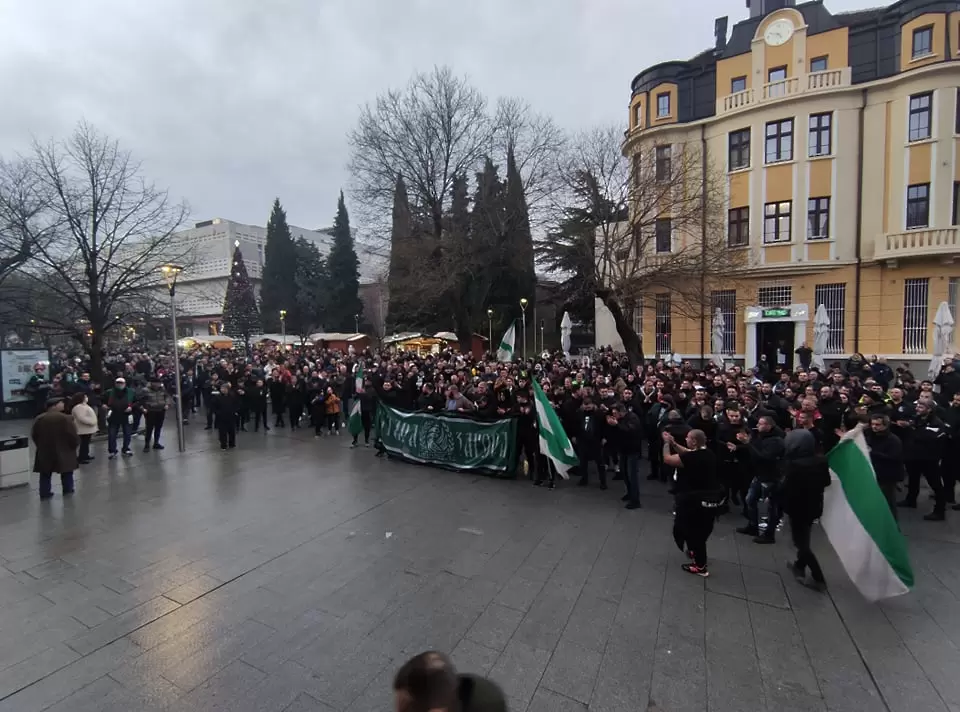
(229, 103)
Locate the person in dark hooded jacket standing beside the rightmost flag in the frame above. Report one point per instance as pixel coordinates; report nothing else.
(805, 476)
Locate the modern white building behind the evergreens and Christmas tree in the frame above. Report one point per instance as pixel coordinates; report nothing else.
(202, 286)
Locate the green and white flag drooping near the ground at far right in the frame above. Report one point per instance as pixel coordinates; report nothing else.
(860, 526)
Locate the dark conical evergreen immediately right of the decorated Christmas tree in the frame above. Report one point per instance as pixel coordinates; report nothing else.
(278, 290)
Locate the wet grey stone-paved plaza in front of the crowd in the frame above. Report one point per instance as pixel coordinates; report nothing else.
(292, 574)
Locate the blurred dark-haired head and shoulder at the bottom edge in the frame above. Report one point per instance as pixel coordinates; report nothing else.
(429, 682)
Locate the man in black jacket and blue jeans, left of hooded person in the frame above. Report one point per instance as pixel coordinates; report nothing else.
(765, 450)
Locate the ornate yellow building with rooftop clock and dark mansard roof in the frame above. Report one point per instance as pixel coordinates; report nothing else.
(838, 136)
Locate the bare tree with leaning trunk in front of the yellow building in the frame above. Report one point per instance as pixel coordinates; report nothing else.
(634, 227)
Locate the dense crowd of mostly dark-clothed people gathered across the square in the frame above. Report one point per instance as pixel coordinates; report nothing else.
(719, 439)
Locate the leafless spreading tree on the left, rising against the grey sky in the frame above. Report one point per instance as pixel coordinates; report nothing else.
(101, 234)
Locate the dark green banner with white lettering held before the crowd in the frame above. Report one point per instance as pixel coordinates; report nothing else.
(449, 441)
